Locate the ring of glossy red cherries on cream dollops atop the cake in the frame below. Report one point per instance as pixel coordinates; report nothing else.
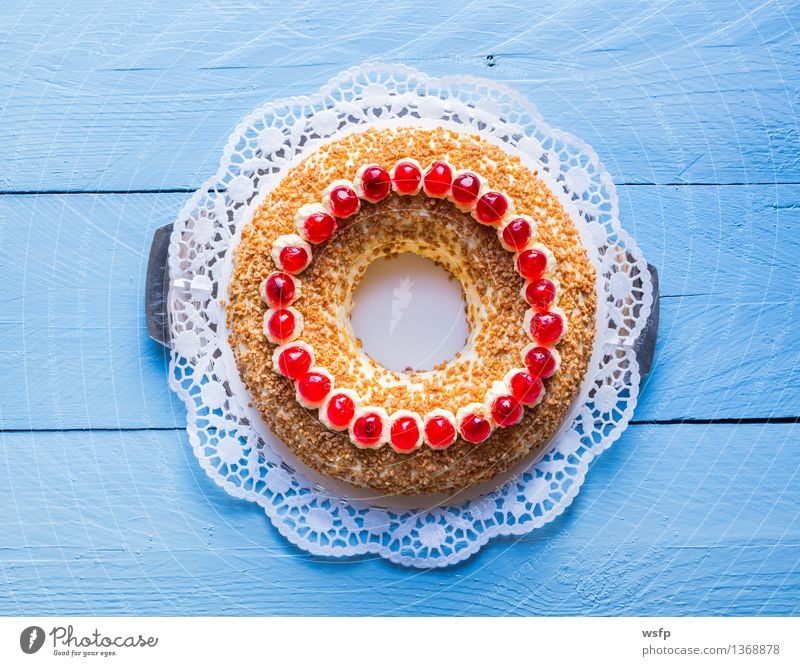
(340, 409)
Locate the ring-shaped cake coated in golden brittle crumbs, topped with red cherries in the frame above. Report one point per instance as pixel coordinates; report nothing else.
(482, 215)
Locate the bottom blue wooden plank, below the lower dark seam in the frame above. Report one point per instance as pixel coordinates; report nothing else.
(673, 520)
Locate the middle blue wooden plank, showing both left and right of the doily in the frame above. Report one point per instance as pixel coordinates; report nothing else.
(76, 355)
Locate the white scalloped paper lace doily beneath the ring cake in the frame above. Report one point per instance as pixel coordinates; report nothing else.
(231, 442)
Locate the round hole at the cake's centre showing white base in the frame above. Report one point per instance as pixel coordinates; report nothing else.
(409, 313)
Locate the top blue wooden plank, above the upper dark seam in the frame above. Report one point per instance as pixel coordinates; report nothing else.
(107, 98)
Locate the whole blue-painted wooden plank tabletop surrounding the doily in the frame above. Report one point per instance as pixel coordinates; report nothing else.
(112, 113)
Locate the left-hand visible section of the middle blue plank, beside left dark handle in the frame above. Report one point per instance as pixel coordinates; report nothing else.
(76, 345)
